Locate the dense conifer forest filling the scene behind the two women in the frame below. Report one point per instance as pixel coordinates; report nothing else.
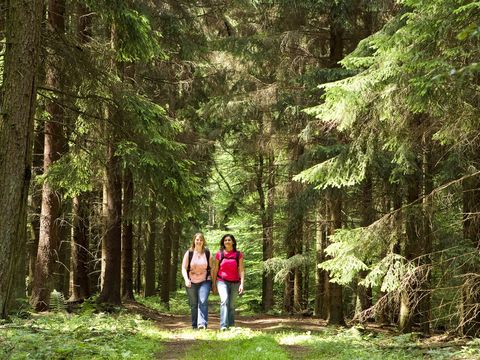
(338, 141)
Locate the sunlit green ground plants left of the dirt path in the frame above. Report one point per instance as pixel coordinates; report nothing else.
(92, 336)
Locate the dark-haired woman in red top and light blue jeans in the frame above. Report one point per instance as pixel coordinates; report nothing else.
(228, 276)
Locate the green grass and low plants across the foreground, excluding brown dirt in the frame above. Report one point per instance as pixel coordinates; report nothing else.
(92, 335)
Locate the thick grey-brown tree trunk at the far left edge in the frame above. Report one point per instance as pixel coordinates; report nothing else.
(16, 135)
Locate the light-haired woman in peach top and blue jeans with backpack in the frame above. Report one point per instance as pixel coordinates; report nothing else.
(196, 271)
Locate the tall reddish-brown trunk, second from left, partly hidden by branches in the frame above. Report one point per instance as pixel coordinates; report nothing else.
(55, 143)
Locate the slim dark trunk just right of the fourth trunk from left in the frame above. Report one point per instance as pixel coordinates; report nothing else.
(127, 237)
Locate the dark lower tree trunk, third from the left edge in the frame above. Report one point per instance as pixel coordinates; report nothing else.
(80, 283)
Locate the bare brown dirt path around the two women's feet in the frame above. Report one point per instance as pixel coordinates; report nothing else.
(179, 343)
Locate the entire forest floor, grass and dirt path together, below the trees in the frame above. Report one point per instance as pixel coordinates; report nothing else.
(149, 330)
